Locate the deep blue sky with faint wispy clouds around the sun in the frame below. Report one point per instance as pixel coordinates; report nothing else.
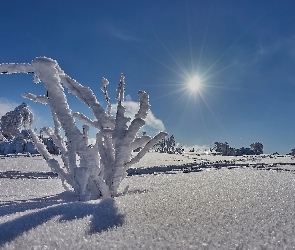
(244, 52)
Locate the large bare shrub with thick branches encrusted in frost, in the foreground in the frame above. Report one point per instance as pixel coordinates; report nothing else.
(101, 168)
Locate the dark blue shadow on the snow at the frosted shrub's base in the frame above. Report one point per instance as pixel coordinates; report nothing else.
(104, 215)
